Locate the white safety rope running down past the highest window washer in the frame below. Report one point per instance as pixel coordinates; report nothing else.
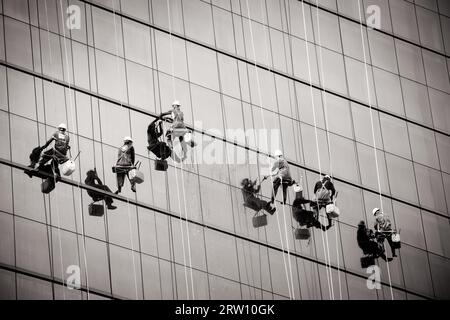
(176, 174)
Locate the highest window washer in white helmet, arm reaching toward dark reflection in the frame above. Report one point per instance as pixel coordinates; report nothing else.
(177, 129)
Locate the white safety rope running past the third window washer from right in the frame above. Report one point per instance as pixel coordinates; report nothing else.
(288, 274)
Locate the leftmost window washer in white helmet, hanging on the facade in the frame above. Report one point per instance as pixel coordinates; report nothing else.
(60, 148)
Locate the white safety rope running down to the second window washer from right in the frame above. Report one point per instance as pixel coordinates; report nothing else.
(325, 244)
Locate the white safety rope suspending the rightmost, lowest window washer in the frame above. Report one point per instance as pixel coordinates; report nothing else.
(373, 131)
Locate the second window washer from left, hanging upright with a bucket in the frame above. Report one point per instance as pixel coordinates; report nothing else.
(125, 162)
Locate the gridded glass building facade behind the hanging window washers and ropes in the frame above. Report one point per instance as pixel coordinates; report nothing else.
(369, 105)
